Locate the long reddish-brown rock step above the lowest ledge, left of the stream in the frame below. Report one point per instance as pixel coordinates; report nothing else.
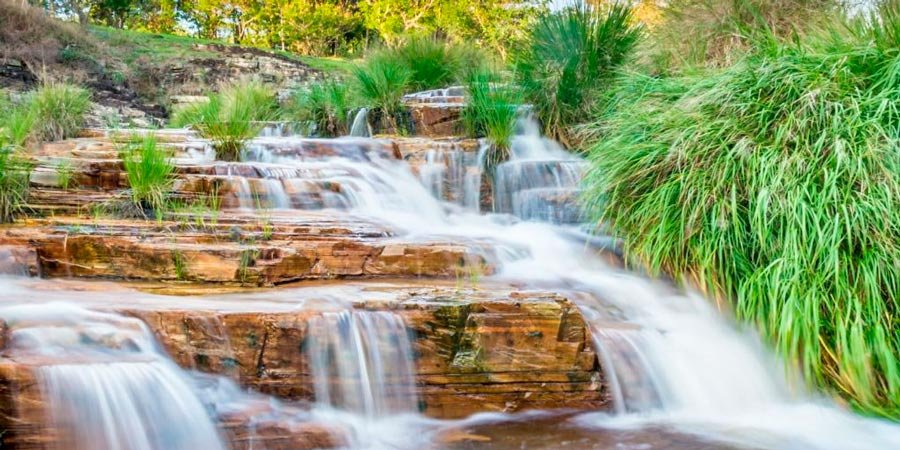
(264, 255)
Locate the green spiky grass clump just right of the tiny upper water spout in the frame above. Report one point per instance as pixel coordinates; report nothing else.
(381, 82)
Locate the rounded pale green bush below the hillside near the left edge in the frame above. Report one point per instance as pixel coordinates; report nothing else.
(59, 111)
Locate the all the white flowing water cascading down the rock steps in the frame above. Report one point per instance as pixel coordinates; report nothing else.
(673, 362)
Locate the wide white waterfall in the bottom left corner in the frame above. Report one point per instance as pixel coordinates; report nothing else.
(107, 385)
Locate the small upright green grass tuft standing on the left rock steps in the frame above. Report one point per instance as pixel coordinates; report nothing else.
(150, 172)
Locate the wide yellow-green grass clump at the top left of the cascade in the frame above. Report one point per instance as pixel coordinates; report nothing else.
(231, 117)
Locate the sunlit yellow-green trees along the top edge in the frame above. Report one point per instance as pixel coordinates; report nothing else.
(321, 27)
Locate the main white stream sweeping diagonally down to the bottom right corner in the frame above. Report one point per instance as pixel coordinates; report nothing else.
(677, 360)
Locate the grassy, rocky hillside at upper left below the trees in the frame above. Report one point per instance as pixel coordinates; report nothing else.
(139, 75)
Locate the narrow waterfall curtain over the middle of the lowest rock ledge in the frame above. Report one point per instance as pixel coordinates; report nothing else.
(362, 362)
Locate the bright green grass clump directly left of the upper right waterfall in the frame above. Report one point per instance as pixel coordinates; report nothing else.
(491, 111)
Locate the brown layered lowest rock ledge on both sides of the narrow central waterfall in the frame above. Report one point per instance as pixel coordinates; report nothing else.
(475, 350)
